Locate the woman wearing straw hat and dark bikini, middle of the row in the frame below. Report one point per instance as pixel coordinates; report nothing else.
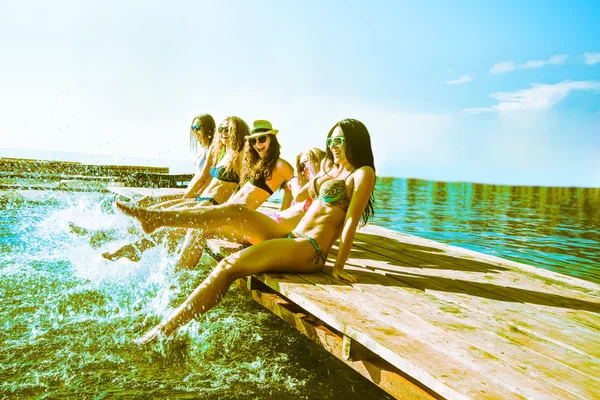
(263, 172)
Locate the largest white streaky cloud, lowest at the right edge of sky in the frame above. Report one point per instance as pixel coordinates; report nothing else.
(538, 97)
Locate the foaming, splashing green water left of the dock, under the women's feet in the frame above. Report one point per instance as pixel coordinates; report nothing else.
(69, 318)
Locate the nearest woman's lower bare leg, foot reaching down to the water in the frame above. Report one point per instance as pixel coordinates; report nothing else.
(283, 255)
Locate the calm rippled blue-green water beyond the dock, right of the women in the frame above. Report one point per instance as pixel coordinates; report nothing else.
(554, 228)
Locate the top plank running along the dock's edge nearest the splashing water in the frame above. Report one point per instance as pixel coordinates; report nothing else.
(416, 359)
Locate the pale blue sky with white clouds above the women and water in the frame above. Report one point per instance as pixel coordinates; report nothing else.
(478, 91)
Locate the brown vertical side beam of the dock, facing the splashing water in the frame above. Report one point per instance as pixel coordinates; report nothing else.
(376, 370)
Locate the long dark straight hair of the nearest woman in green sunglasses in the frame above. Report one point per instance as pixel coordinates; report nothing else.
(359, 154)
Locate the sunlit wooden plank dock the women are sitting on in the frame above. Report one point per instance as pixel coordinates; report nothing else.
(429, 320)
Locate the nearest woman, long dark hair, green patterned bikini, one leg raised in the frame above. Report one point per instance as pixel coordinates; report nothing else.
(343, 194)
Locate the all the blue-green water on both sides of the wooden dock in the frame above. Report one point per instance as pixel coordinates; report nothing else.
(68, 316)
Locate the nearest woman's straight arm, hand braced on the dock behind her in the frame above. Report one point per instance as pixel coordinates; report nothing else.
(364, 182)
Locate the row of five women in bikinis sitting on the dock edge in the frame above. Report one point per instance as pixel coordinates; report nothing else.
(237, 171)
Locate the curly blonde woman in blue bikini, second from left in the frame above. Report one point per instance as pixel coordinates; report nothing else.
(222, 167)
